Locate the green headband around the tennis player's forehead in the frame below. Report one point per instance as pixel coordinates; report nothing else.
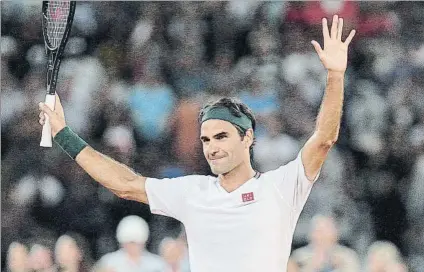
(223, 113)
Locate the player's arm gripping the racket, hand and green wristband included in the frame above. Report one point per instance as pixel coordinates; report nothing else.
(115, 176)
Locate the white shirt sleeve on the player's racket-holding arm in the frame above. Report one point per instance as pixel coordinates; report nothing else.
(168, 196)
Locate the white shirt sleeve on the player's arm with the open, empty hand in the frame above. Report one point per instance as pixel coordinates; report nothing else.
(292, 184)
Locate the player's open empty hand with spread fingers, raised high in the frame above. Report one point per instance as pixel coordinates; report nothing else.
(334, 54)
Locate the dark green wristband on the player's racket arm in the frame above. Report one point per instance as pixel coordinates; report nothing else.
(70, 142)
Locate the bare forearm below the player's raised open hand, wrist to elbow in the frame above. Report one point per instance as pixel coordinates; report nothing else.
(329, 116)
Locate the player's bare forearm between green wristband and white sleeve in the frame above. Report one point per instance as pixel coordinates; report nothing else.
(113, 175)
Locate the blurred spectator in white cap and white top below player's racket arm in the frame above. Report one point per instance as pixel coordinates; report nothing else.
(132, 234)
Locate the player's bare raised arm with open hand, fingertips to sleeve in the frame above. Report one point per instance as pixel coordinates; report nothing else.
(334, 59)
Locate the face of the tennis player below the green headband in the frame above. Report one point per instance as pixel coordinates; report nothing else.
(223, 147)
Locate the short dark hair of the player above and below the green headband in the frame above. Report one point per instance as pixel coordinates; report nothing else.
(237, 108)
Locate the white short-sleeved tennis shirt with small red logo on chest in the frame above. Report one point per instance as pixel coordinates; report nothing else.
(247, 230)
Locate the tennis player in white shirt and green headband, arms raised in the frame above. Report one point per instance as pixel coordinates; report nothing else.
(240, 220)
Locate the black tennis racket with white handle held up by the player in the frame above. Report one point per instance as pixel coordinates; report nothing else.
(57, 21)
